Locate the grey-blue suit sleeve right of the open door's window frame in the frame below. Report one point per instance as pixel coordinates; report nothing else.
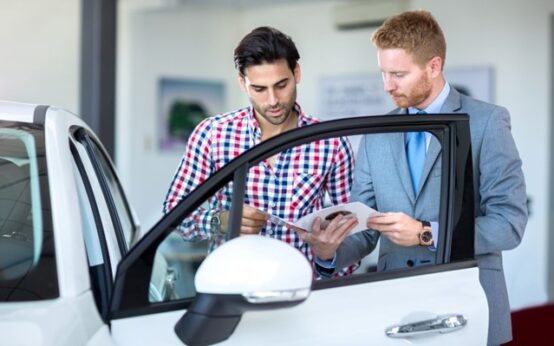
(502, 214)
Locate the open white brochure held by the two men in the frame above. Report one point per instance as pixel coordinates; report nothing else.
(358, 209)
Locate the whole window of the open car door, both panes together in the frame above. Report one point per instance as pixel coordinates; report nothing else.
(294, 184)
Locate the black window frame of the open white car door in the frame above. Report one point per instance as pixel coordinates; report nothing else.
(130, 295)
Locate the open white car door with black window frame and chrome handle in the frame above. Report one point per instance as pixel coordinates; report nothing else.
(356, 309)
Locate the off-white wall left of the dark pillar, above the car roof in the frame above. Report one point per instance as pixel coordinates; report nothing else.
(39, 62)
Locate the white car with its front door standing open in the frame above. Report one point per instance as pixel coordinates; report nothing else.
(75, 270)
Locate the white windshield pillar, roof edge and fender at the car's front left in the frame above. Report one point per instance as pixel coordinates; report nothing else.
(71, 319)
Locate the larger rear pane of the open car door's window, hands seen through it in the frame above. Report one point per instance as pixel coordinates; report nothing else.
(320, 178)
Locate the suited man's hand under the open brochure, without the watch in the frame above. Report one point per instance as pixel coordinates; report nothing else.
(325, 239)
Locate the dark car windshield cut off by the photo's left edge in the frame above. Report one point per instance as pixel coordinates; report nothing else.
(26, 248)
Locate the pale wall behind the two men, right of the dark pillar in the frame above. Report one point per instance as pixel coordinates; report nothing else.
(510, 35)
